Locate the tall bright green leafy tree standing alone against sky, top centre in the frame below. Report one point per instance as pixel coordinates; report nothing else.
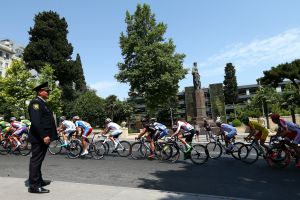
(151, 66)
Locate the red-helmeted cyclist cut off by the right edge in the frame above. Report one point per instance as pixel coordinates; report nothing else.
(290, 131)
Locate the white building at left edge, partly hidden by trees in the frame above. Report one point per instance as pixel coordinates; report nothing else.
(8, 52)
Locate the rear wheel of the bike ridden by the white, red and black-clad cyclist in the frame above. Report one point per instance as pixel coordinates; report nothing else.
(199, 154)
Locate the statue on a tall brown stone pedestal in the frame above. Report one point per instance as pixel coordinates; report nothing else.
(198, 96)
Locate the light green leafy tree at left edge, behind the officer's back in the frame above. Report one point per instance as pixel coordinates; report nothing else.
(16, 88)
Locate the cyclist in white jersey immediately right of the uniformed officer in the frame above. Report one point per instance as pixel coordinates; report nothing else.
(68, 128)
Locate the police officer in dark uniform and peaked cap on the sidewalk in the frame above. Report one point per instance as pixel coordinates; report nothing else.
(42, 132)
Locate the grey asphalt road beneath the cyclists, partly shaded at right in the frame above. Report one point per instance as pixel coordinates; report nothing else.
(223, 177)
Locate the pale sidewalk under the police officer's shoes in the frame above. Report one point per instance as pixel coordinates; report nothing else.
(14, 188)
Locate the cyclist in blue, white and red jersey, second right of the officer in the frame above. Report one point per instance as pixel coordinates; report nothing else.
(85, 129)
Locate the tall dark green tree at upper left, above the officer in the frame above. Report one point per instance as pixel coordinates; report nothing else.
(48, 44)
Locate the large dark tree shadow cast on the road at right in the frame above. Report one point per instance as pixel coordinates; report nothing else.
(230, 178)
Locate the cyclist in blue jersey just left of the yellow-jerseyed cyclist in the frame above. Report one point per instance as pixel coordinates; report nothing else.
(228, 132)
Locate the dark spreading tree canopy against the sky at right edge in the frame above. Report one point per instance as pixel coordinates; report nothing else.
(277, 74)
